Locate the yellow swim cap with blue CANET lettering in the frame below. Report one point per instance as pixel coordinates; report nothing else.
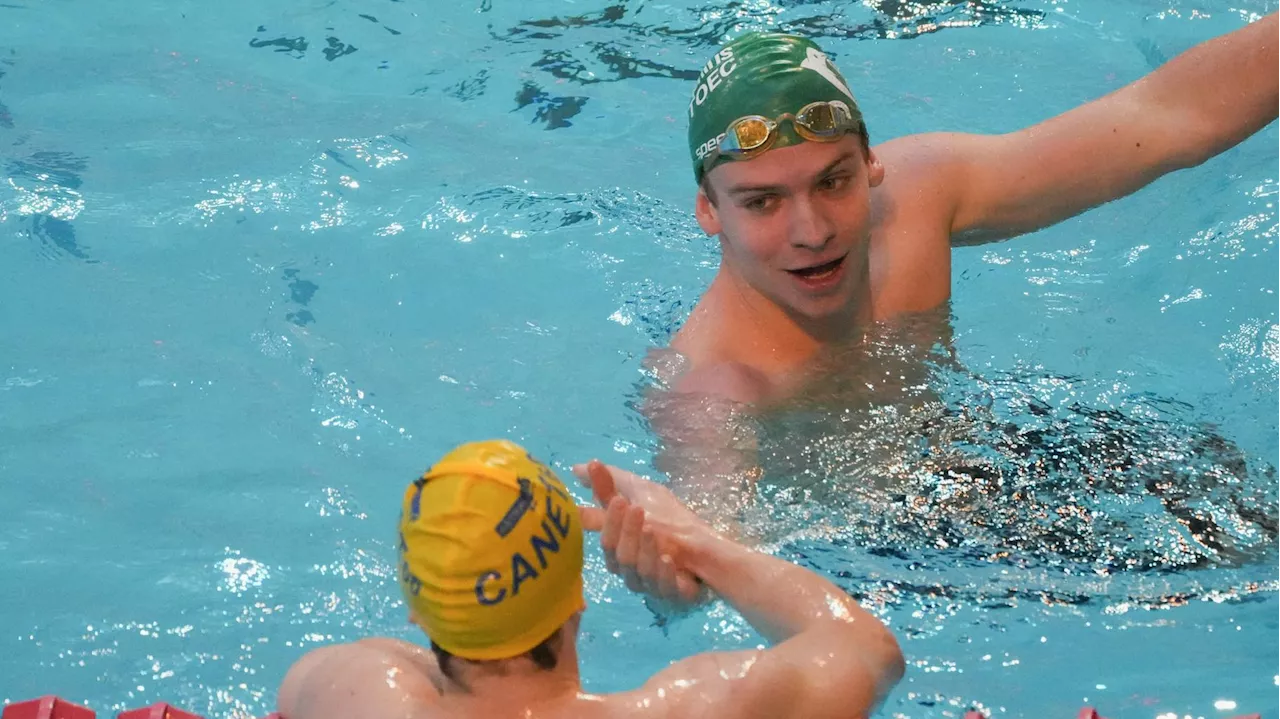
(491, 552)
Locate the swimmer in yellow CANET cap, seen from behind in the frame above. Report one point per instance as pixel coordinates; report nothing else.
(491, 566)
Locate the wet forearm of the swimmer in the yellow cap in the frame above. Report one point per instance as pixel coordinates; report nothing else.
(778, 598)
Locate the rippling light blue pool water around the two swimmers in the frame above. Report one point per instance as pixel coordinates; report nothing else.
(263, 262)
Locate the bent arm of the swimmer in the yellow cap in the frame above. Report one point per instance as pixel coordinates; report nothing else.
(830, 658)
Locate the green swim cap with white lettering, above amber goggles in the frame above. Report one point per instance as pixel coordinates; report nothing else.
(762, 74)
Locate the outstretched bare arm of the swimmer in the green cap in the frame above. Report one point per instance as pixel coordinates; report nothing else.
(1200, 104)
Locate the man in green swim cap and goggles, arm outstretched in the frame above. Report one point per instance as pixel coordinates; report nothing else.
(822, 232)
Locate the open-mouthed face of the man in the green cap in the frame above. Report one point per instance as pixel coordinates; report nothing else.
(796, 222)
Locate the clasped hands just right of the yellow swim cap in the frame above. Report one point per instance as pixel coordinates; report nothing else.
(643, 532)
